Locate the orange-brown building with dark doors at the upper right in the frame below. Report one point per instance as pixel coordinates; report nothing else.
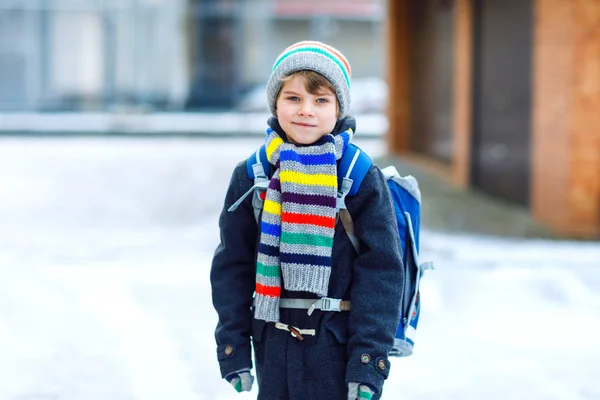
(503, 96)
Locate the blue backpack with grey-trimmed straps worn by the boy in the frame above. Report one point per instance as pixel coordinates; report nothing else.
(406, 196)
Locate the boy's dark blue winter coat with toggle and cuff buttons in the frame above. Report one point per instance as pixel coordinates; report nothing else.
(348, 346)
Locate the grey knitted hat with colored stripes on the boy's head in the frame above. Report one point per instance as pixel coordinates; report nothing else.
(312, 56)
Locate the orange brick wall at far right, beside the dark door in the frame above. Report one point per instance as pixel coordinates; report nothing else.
(566, 116)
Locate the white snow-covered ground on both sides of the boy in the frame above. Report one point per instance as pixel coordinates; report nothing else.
(105, 249)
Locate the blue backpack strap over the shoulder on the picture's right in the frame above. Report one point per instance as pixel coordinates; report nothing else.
(354, 166)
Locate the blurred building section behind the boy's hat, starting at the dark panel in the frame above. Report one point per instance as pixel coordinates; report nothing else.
(235, 42)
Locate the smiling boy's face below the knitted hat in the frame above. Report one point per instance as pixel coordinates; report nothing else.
(305, 117)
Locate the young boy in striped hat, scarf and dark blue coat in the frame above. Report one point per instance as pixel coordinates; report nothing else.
(271, 281)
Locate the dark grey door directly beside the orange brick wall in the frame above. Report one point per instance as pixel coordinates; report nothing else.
(502, 98)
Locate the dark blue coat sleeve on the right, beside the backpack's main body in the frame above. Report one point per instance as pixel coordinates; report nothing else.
(377, 281)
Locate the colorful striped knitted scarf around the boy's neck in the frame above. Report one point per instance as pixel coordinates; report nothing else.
(298, 220)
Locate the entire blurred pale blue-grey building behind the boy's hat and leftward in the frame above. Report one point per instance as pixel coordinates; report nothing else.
(167, 54)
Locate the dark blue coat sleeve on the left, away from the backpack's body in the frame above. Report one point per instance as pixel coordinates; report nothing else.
(233, 275)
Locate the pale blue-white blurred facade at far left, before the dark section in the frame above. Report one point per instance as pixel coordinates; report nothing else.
(90, 54)
